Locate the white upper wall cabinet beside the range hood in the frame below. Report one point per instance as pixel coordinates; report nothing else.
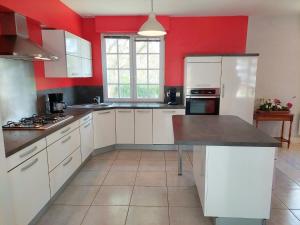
(74, 54)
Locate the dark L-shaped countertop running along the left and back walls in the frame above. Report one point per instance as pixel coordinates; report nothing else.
(16, 140)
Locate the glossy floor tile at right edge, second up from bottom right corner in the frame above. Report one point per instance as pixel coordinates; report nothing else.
(290, 198)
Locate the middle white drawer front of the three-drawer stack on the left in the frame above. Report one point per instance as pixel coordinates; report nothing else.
(61, 149)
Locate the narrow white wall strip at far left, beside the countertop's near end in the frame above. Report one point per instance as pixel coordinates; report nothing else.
(5, 207)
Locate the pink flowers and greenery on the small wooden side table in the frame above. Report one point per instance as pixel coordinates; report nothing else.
(274, 106)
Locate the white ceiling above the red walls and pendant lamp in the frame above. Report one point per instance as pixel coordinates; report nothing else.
(185, 7)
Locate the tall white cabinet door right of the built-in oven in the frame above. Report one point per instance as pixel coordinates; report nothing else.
(238, 87)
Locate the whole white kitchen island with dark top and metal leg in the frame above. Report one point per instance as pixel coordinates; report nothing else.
(232, 165)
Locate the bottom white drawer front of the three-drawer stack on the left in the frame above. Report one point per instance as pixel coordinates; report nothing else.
(63, 171)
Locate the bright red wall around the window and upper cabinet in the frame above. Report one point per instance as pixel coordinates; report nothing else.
(186, 35)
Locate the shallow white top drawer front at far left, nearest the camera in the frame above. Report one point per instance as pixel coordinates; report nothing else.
(19, 157)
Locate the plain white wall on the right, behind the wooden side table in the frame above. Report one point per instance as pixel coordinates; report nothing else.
(277, 40)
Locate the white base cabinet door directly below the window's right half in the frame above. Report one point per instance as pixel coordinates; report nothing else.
(143, 126)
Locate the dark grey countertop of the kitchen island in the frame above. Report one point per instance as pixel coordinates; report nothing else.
(219, 131)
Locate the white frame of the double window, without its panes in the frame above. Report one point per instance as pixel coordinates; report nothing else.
(133, 83)
